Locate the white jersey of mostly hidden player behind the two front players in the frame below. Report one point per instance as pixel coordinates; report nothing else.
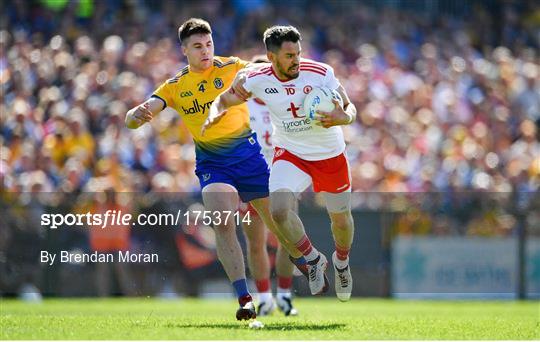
(259, 120)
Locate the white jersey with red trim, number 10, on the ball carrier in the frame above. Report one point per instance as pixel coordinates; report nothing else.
(294, 131)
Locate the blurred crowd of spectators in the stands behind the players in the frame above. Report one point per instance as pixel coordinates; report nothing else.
(448, 98)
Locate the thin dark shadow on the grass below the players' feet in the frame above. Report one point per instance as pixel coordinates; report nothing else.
(270, 326)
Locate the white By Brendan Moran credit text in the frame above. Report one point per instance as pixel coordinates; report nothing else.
(97, 257)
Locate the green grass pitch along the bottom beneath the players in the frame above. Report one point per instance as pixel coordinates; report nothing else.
(319, 319)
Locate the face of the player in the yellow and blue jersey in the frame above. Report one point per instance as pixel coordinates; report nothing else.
(199, 50)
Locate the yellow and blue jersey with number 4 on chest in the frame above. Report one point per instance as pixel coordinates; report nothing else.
(191, 94)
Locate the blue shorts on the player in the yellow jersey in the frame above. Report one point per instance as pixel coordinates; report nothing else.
(249, 177)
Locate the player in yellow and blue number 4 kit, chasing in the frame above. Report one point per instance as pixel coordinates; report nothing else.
(229, 163)
